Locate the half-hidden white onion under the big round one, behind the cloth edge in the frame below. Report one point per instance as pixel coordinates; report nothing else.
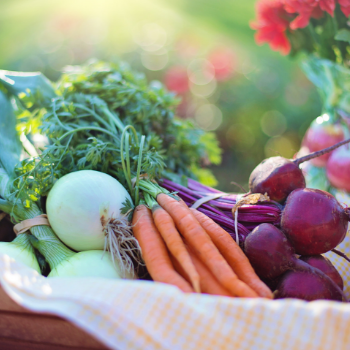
(92, 263)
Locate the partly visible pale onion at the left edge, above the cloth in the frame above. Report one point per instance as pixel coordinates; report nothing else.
(21, 250)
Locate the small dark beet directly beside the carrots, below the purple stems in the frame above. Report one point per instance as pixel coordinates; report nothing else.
(269, 251)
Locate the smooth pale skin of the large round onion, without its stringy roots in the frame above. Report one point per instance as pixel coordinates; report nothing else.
(79, 205)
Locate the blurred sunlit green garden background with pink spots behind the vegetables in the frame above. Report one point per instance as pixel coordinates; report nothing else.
(258, 102)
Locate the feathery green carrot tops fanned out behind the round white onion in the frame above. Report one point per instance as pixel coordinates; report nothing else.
(85, 121)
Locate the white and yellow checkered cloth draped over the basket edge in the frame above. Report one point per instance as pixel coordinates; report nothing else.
(144, 315)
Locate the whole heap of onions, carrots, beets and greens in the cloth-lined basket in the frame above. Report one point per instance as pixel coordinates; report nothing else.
(103, 182)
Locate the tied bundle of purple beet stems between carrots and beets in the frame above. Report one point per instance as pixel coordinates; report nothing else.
(220, 209)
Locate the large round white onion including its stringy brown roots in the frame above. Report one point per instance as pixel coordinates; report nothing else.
(84, 209)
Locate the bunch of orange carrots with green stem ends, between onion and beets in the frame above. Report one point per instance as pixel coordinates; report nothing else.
(185, 248)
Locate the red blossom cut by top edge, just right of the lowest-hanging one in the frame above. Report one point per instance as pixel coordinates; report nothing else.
(307, 9)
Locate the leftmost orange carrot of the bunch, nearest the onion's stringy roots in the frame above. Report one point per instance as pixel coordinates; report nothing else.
(154, 251)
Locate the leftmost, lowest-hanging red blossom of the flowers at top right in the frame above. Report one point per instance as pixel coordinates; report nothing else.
(271, 25)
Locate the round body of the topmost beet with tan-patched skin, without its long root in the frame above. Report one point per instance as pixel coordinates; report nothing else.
(276, 176)
